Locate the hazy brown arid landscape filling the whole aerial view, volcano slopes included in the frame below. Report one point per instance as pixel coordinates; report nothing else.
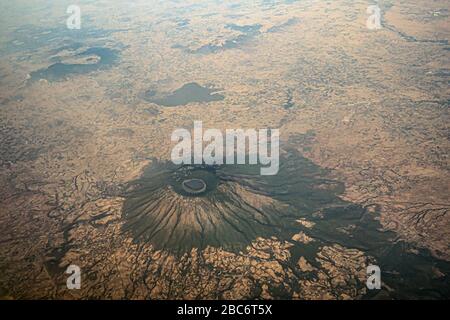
(86, 117)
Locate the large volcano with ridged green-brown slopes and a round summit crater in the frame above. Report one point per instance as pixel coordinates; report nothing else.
(180, 207)
